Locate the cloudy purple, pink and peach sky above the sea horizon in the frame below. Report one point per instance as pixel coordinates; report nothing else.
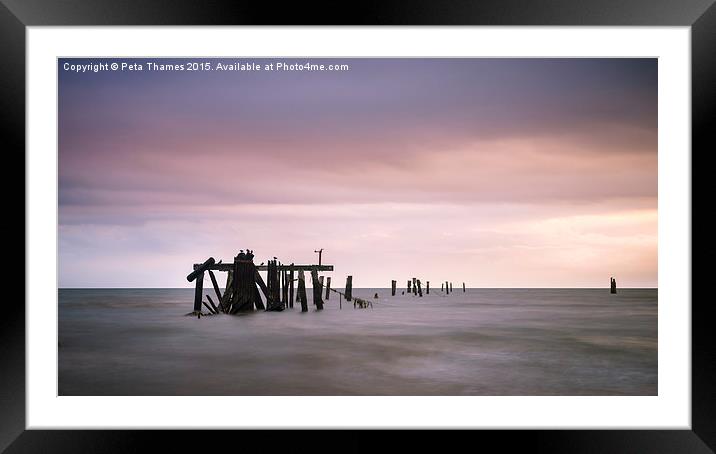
(492, 172)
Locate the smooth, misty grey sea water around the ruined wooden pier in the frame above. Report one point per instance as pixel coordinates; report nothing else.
(482, 342)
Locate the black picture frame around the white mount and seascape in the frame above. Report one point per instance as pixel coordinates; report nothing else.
(700, 15)
